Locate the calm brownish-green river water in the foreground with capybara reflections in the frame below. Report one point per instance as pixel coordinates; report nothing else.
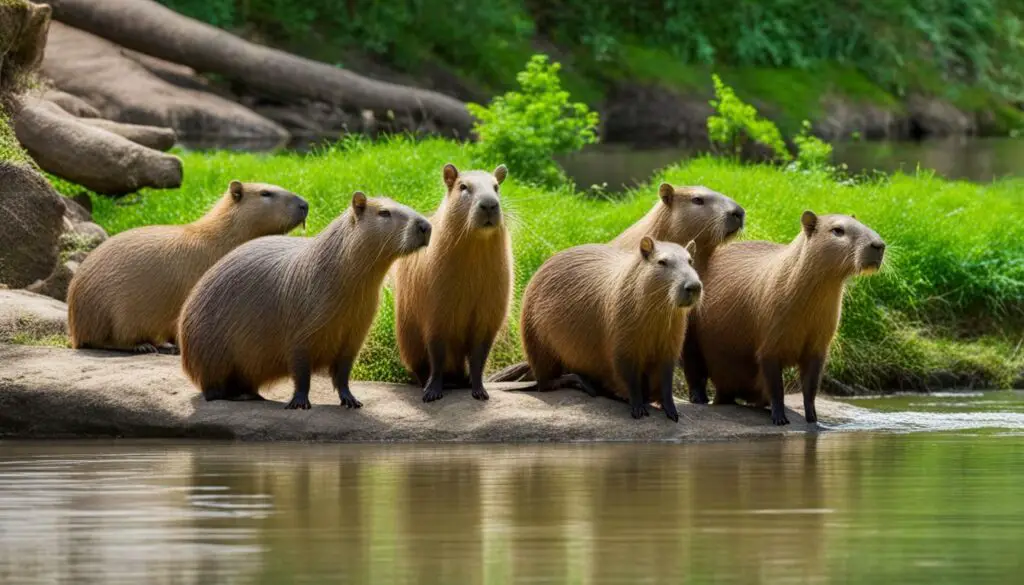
(858, 508)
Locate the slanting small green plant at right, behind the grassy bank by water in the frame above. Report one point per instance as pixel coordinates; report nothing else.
(736, 122)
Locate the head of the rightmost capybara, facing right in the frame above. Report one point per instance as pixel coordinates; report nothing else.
(843, 244)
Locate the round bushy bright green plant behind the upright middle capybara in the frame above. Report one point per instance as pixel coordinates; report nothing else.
(525, 130)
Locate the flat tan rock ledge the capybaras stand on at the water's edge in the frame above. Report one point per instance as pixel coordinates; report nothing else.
(48, 392)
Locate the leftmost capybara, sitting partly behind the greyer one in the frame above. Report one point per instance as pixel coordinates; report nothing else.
(129, 292)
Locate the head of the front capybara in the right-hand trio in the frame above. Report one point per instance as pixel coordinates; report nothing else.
(668, 269)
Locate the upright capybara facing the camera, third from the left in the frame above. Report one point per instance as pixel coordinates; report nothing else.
(452, 300)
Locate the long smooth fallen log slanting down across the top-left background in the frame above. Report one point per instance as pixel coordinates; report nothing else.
(147, 27)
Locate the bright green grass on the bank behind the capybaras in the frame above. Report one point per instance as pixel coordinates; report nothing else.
(952, 297)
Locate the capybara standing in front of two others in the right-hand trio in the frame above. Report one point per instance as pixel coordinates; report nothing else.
(611, 320)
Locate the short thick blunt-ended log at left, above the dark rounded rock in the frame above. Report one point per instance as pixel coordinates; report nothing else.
(93, 157)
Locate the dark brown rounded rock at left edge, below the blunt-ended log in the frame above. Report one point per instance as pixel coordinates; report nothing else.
(31, 224)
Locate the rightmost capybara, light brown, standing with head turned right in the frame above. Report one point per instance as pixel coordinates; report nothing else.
(769, 307)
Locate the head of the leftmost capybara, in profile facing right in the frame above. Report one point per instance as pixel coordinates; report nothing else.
(266, 210)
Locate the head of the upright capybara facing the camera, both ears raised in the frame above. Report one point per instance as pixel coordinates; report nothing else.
(473, 196)
